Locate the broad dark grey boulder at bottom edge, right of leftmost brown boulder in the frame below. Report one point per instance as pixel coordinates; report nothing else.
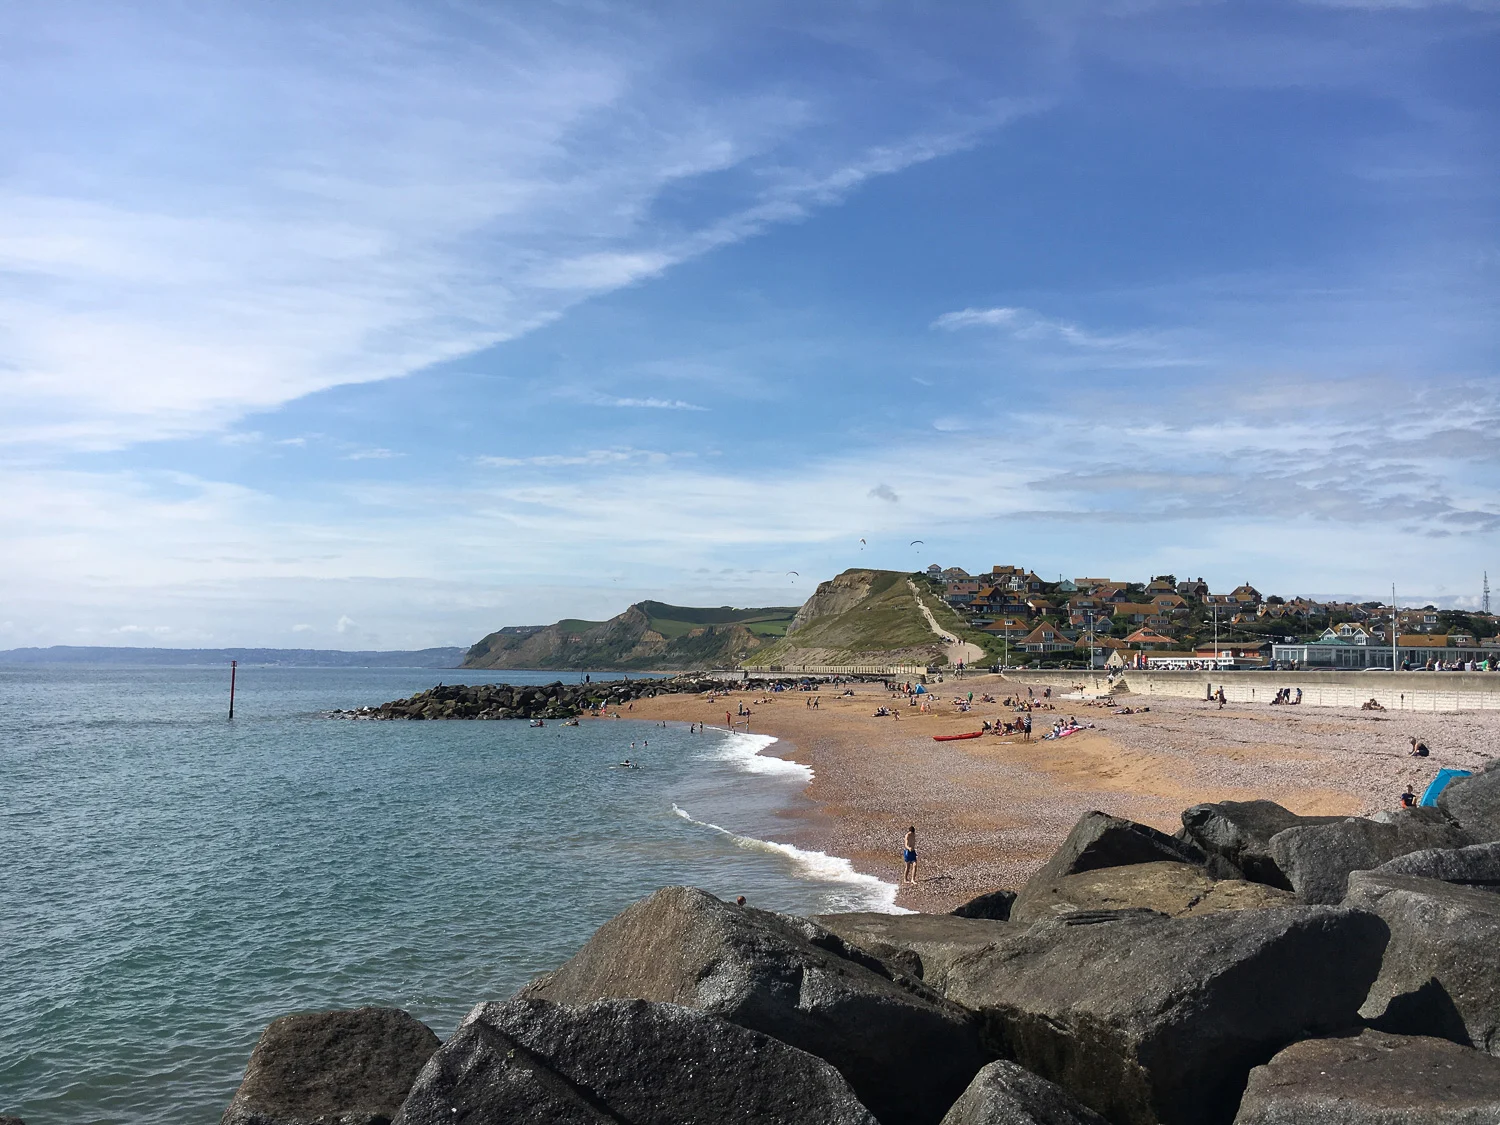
(530, 1063)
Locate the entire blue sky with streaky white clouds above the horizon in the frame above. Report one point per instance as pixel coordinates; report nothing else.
(386, 325)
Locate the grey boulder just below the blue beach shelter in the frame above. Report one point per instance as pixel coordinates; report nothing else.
(1319, 859)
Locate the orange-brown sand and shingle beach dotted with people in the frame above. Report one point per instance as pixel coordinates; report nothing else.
(989, 811)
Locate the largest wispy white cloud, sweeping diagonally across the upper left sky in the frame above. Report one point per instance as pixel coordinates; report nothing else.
(358, 206)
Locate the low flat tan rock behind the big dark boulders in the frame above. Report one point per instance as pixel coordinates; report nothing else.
(1172, 889)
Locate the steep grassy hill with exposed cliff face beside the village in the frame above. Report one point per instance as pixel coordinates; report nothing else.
(862, 617)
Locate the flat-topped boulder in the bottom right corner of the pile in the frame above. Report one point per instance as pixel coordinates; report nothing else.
(1375, 1079)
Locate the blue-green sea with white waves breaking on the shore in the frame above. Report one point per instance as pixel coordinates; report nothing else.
(173, 880)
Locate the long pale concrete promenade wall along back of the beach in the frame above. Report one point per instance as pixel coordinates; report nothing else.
(1393, 691)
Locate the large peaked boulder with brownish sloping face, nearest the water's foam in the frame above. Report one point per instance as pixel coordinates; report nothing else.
(907, 1052)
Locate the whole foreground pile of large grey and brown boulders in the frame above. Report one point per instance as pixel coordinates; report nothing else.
(1139, 979)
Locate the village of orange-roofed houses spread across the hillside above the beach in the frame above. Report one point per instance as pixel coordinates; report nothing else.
(1169, 622)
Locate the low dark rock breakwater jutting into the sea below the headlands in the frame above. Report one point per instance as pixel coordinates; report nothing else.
(530, 701)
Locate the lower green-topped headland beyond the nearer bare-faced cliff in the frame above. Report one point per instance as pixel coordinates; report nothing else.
(650, 635)
